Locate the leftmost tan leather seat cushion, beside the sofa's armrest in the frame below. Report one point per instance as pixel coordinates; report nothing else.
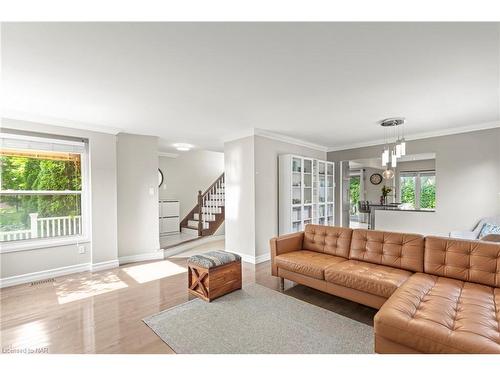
(309, 263)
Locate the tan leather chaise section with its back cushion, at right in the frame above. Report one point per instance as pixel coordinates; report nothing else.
(454, 307)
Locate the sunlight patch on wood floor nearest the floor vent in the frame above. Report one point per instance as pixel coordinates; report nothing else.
(85, 287)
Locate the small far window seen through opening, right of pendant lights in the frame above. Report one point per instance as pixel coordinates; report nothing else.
(418, 189)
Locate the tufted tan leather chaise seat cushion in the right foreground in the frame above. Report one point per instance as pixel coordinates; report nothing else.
(432, 314)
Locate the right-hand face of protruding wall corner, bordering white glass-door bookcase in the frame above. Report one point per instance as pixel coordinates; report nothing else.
(266, 186)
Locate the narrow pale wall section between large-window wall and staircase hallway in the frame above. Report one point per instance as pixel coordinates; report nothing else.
(137, 181)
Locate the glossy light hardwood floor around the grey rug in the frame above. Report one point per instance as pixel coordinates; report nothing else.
(101, 312)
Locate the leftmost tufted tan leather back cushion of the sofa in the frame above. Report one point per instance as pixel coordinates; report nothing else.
(329, 240)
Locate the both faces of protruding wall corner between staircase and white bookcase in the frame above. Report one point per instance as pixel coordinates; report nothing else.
(251, 168)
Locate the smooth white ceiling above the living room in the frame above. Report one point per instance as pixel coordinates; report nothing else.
(206, 83)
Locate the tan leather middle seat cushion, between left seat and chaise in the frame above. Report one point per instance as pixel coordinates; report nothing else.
(367, 277)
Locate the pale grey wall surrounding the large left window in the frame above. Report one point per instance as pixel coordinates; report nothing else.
(102, 245)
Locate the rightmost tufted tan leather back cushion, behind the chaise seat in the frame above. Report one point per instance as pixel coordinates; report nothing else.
(474, 261)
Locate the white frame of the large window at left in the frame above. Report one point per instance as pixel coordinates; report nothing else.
(40, 243)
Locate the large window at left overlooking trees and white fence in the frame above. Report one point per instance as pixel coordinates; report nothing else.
(42, 193)
